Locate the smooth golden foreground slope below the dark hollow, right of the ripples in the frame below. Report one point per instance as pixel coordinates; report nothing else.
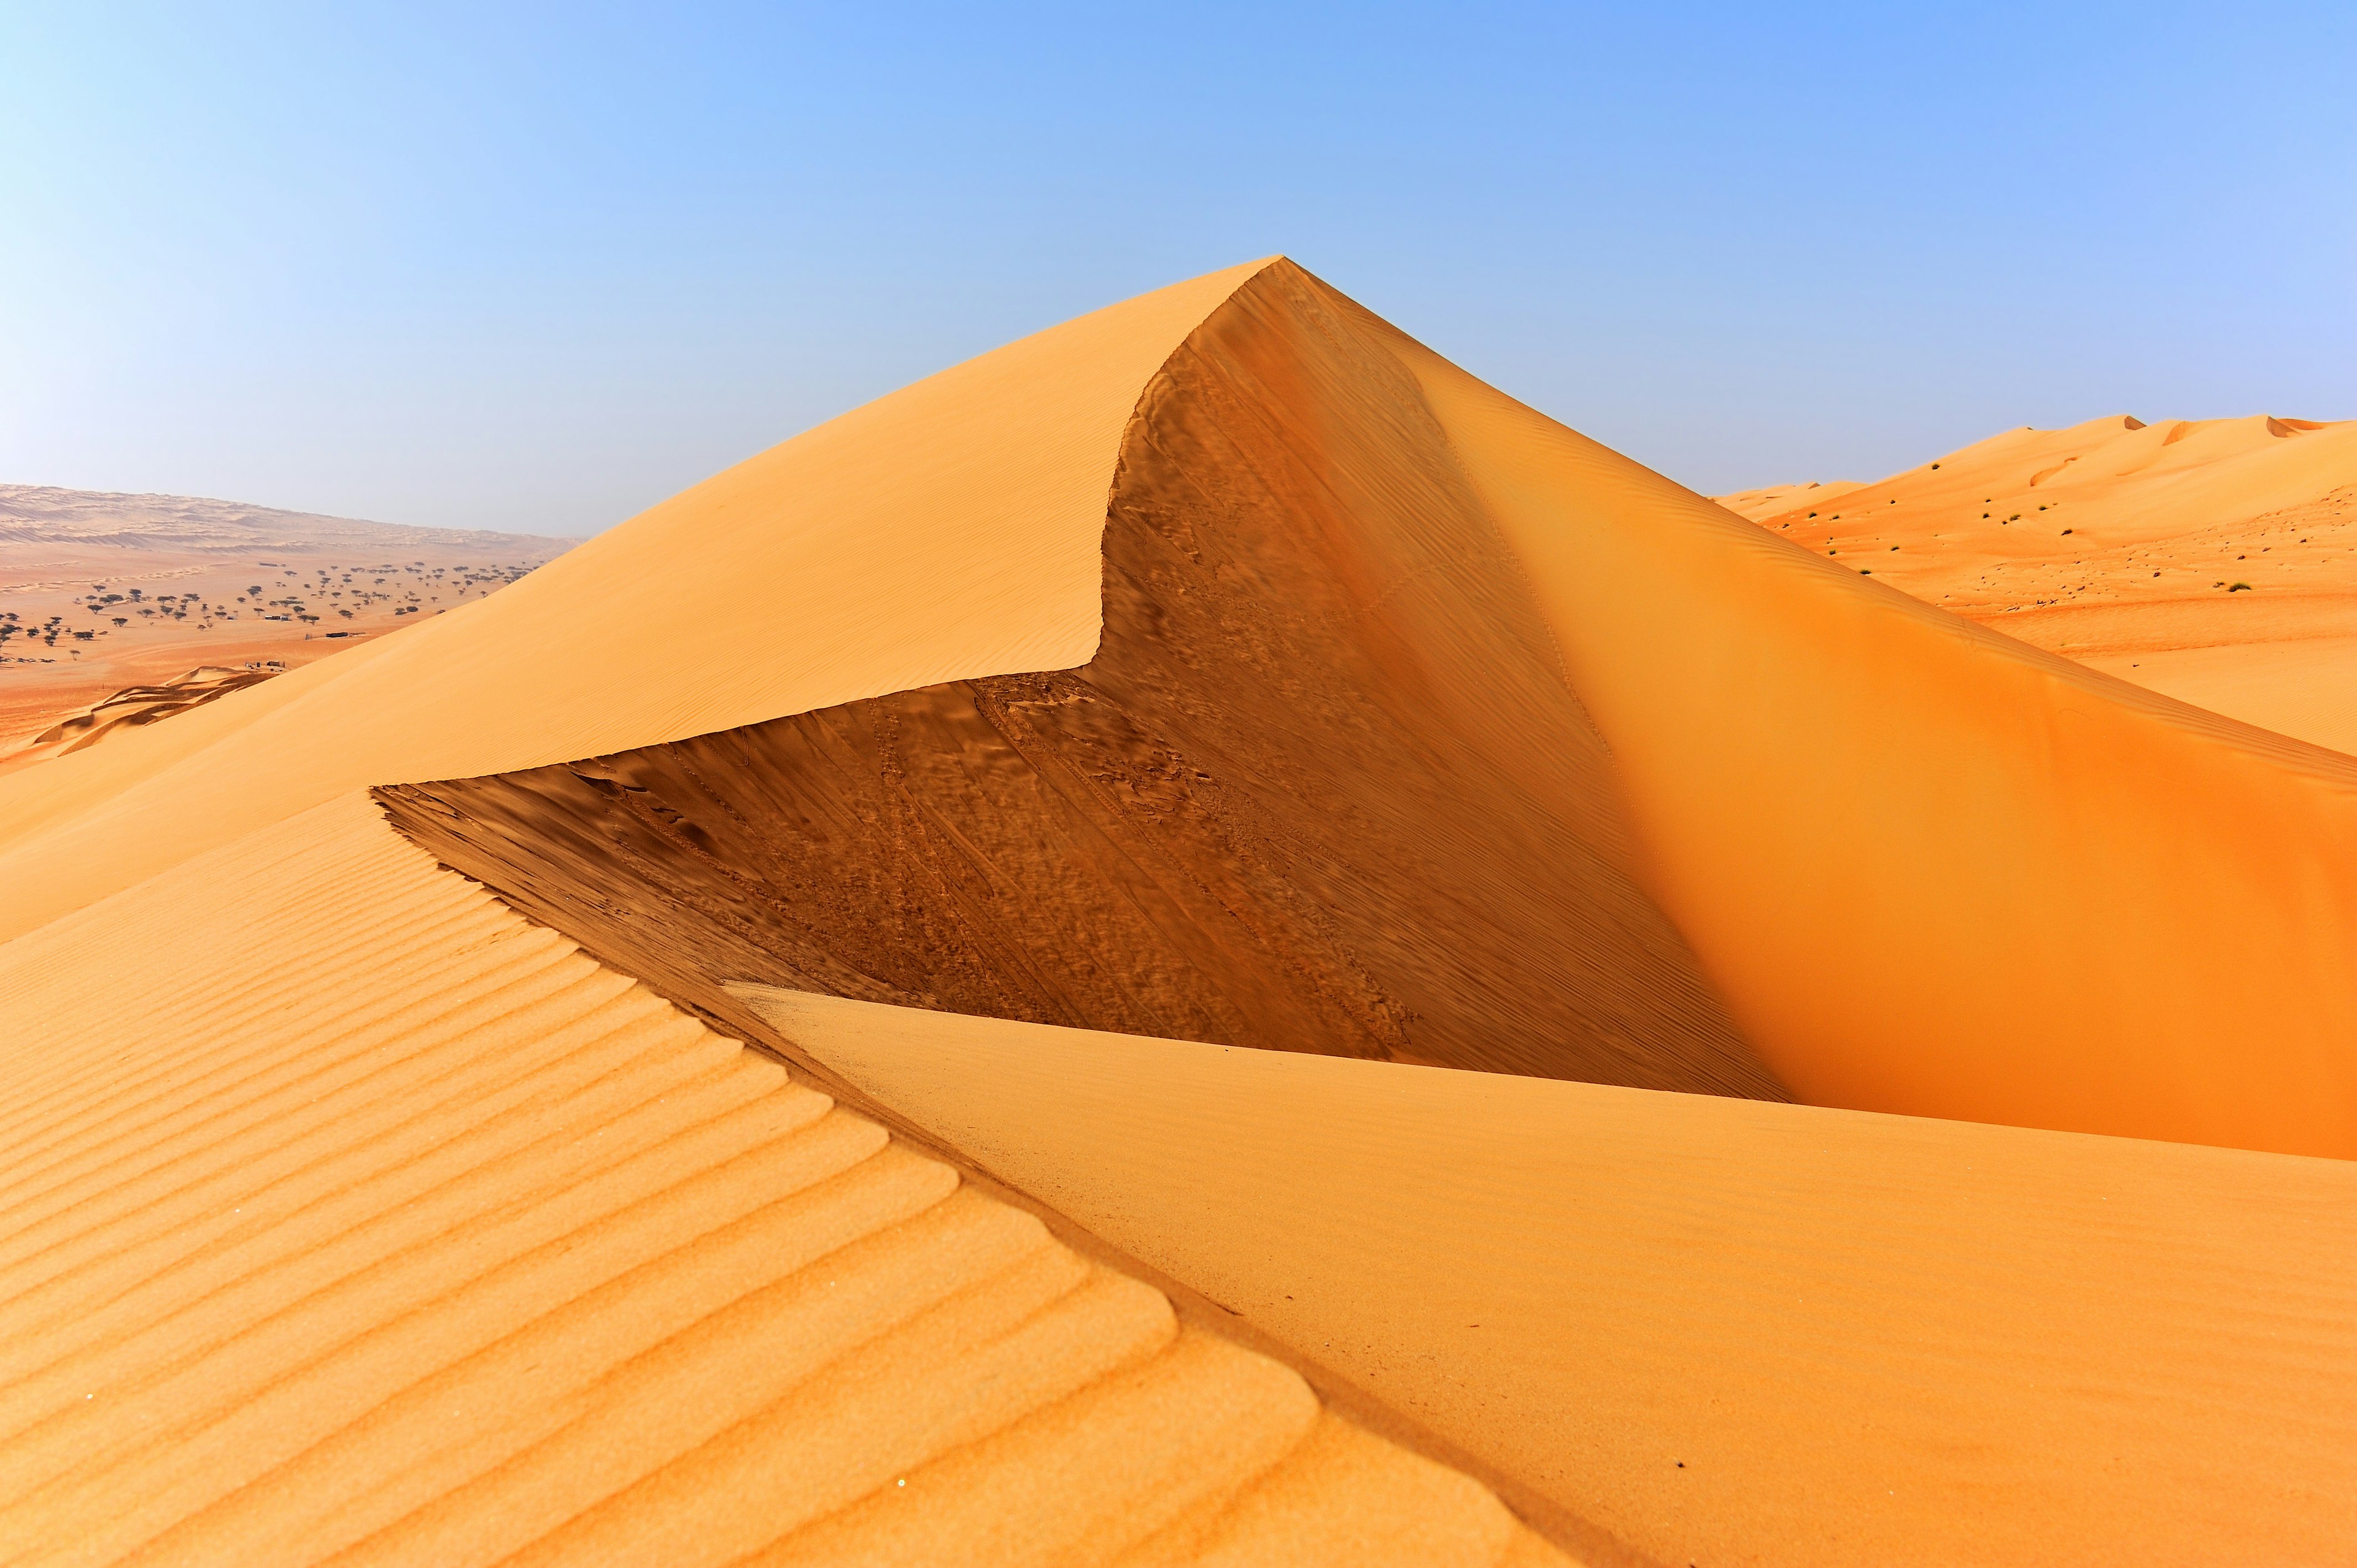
(1727, 1331)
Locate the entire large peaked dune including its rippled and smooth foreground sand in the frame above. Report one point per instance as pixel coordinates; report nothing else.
(1222, 664)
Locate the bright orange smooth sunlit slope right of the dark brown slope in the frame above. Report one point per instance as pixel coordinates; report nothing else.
(1932, 869)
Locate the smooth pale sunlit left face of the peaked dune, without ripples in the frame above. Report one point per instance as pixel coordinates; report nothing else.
(937, 534)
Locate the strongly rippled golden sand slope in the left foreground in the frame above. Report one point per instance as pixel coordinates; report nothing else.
(378, 1225)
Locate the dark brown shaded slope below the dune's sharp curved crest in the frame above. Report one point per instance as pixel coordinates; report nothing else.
(1323, 784)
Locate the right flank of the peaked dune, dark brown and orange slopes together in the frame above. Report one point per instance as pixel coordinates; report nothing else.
(2078, 904)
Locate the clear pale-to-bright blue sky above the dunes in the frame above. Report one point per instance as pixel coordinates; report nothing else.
(539, 268)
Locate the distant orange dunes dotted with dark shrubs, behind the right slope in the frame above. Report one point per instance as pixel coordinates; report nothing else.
(2122, 546)
